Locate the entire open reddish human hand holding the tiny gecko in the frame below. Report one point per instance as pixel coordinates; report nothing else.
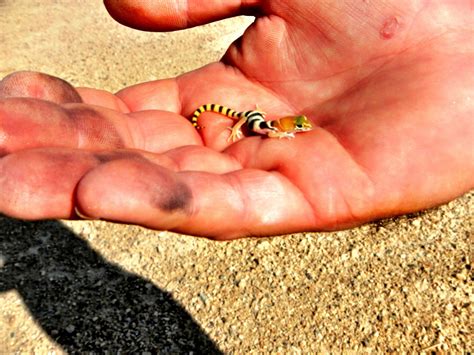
(388, 87)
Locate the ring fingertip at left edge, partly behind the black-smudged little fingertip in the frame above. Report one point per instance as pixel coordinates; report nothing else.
(39, 183)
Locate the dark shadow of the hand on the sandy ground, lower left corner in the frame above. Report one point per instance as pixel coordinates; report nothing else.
(85, 303)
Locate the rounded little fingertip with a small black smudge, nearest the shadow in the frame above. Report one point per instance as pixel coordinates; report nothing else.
(134, 191)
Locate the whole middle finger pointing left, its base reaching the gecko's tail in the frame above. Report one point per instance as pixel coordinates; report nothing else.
(28, 123)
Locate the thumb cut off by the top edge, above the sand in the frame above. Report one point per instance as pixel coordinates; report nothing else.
(168, 15)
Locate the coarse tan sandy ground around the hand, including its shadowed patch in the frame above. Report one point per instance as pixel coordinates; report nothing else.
(395, 285)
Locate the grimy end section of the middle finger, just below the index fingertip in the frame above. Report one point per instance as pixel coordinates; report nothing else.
(28, 123)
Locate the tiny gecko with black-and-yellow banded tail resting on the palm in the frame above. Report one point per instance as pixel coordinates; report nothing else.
(284, 127)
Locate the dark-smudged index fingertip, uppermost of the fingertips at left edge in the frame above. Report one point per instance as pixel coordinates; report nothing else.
(39, 86)
